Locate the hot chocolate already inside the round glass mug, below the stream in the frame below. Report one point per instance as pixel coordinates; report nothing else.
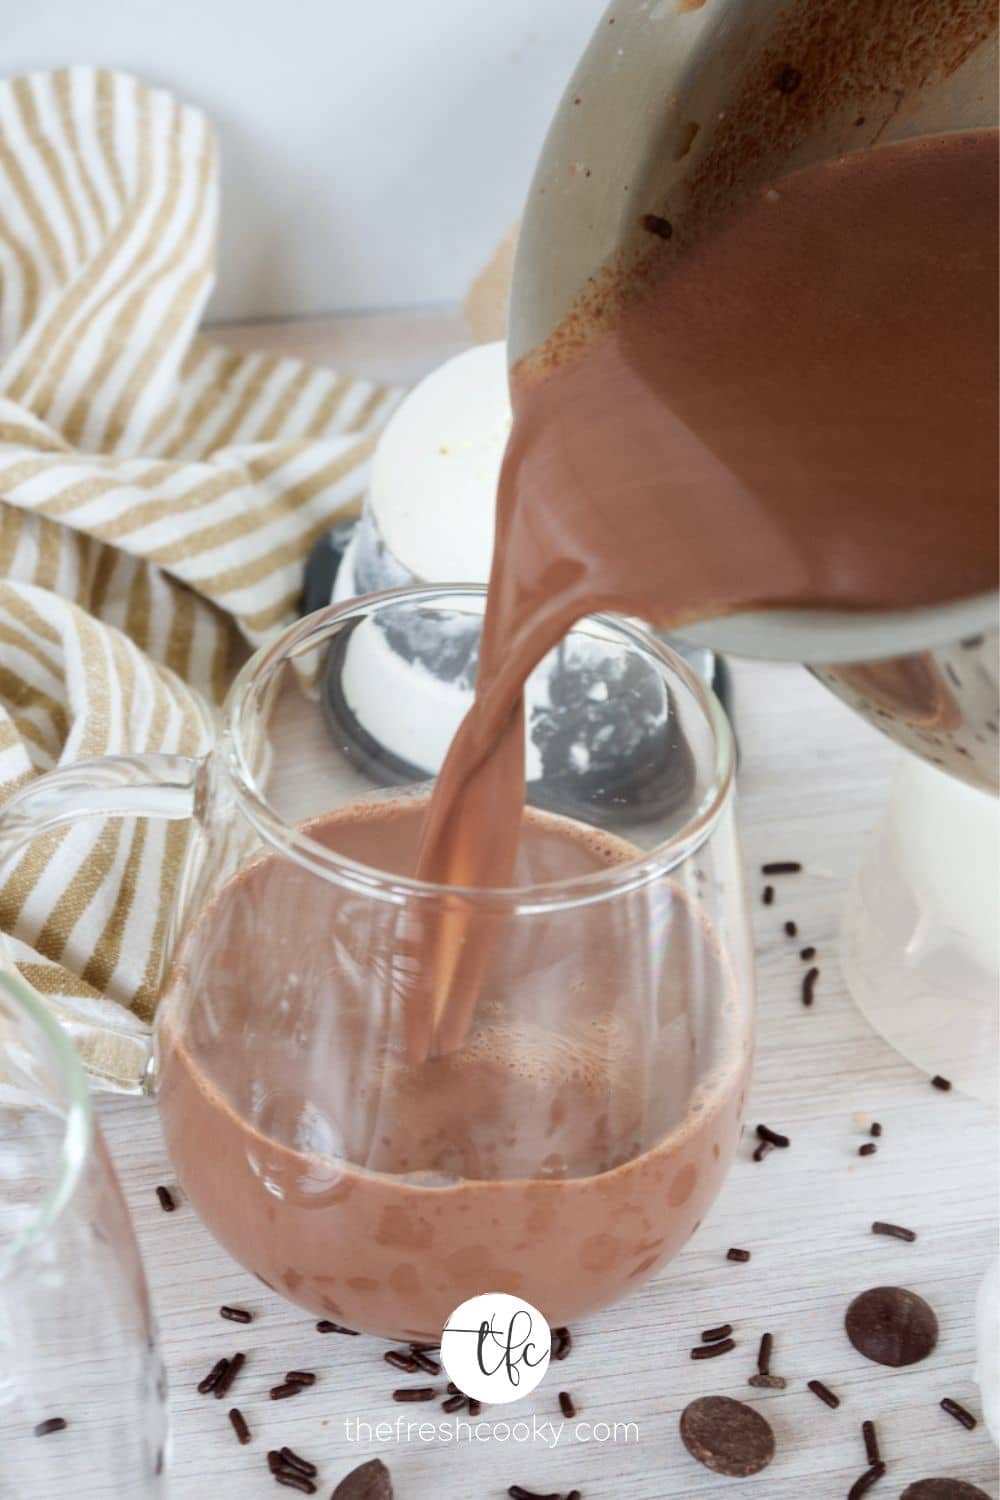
(563, 1153)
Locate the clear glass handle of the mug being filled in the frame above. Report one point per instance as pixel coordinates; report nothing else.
(109, 787)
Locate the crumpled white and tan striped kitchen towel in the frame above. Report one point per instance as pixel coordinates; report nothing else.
(158, 500)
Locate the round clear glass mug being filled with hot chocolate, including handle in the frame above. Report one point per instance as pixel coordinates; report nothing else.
(575, 1133)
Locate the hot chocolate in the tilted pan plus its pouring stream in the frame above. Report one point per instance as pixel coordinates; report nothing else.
(797, 412)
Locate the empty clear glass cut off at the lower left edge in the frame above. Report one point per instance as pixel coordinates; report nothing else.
(83, 1396)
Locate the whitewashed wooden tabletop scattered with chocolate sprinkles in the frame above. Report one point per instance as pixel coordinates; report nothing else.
(813, 782)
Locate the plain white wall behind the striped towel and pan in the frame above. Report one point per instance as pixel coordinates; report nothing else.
(373, 151)
